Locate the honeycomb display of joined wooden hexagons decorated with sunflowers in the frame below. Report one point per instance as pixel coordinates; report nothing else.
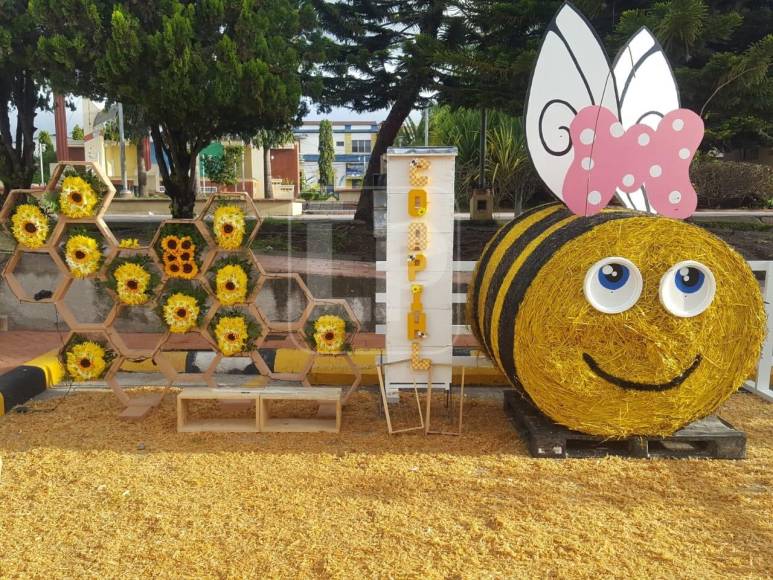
(218, 230)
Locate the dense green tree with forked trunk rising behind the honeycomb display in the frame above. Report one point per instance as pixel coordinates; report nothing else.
(197, 71)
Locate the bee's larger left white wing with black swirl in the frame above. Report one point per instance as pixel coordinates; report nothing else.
(572, 71)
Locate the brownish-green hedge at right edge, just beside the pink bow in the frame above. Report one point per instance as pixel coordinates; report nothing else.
(732, 184)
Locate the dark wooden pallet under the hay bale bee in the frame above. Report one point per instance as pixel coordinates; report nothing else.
(710, 438)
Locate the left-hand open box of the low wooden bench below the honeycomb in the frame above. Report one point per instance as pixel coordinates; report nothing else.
(235, 425)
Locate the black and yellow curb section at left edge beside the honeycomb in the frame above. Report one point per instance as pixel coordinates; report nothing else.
(19, 385)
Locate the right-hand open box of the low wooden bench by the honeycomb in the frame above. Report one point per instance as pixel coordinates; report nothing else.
(328, 420)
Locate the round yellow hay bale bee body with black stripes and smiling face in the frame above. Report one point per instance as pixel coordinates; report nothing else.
(644, 357)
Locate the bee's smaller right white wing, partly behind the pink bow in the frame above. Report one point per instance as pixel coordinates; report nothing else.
(646, 91)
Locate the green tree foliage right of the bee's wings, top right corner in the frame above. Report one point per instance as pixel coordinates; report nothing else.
(722, 54)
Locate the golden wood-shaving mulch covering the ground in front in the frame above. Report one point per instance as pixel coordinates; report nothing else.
(83, 494)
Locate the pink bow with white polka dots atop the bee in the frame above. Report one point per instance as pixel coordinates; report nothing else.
(608, 157)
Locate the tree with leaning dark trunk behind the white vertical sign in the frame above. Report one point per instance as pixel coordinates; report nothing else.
(384, 55)
